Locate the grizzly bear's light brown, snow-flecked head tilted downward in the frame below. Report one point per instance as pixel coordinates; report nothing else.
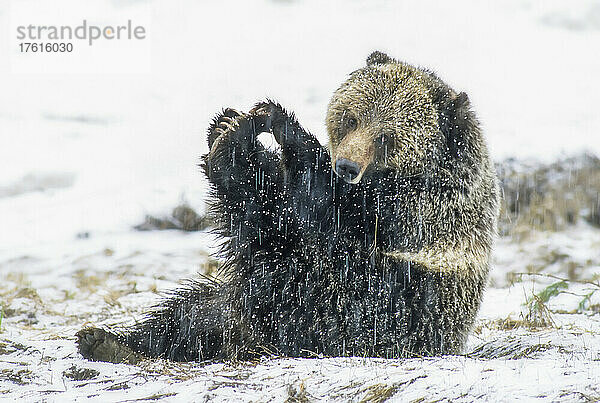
(385, 116)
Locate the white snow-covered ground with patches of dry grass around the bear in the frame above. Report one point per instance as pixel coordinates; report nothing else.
(86, 154)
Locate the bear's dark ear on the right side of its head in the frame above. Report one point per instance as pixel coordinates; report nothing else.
(454, 120)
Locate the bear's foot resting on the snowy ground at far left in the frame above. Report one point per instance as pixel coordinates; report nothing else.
(99, 345)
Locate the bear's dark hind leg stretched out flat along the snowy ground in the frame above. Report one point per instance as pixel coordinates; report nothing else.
(186, 326)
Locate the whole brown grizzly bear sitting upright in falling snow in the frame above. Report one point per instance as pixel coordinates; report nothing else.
(391, 266)
